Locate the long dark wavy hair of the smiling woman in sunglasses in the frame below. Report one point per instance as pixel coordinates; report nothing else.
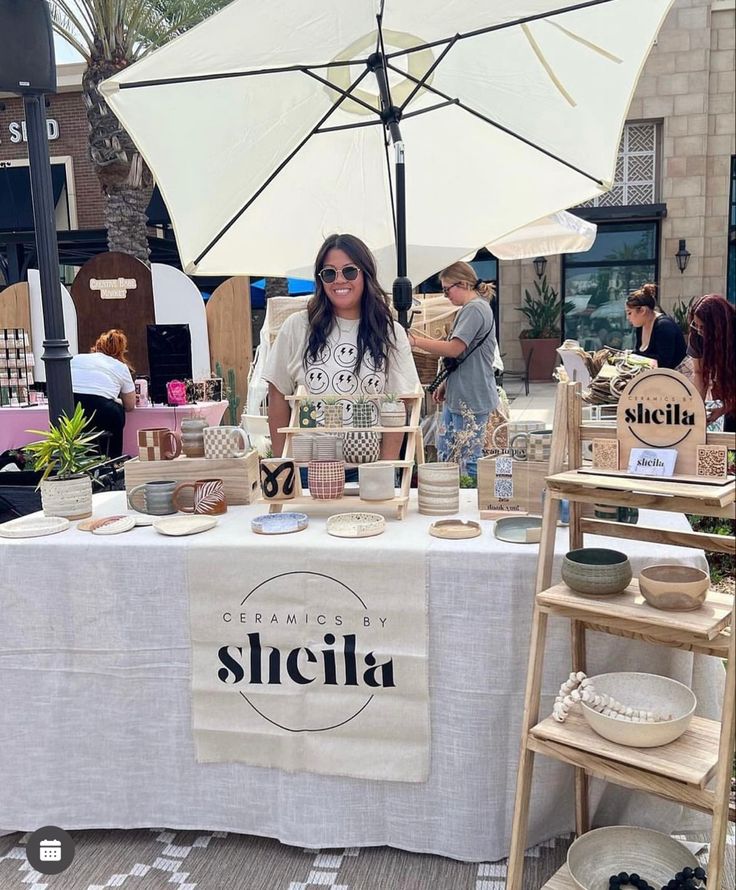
(376, 328)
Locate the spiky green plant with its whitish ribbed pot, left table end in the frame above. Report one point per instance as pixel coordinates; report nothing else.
(65, 455)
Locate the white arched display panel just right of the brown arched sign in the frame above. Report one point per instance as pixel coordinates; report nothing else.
(176, 300)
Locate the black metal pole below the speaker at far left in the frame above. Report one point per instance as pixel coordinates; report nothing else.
(55, 345)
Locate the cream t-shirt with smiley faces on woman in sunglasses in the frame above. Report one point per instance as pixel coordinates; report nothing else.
(333, 372)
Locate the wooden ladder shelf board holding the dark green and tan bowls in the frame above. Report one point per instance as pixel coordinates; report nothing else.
(706, 622)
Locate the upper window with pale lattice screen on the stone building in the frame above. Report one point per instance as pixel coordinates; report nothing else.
(635, 180)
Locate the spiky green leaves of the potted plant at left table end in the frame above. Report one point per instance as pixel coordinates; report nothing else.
(66, 448)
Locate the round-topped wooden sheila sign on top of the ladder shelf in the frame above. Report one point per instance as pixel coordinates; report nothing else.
(661, 409)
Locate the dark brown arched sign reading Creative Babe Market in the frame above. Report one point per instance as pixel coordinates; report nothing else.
(114, 290)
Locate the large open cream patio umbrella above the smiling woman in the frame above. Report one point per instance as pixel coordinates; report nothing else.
(270, 125)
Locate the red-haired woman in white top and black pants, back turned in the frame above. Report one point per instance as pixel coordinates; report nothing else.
(103, 384)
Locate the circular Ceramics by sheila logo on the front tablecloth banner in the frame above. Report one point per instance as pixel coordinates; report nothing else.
(311, 667)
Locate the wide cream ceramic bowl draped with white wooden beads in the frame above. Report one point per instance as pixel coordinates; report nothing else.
(647, 692)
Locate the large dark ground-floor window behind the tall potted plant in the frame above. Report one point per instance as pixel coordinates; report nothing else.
(597, 282)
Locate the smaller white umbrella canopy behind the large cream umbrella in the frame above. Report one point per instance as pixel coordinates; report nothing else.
(560, 232)
